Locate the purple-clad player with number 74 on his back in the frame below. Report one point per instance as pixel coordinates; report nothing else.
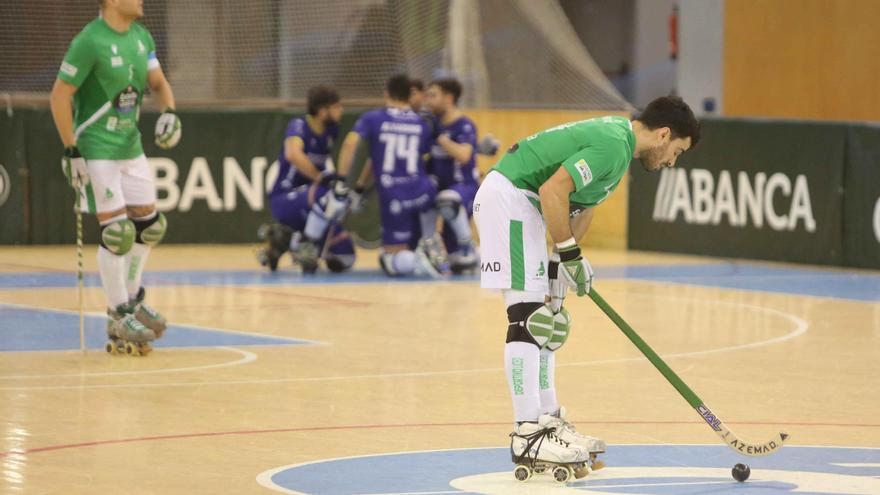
(397, 139)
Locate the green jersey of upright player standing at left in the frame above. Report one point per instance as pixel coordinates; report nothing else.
(109, 69)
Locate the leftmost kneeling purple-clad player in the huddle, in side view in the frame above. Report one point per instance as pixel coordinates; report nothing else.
(305, 187)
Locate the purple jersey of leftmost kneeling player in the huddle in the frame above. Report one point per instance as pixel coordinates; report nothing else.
(316, 146)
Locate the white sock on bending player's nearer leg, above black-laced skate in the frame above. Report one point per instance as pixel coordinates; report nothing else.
(521, 361)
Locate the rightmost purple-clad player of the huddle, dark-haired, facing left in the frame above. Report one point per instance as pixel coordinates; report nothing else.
(453, 164)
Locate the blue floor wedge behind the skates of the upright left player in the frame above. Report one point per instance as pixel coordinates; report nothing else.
(31, 329)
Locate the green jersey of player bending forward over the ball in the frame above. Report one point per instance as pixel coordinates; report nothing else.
(595, 152)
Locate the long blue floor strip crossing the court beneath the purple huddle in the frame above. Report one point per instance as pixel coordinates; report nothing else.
(855, 285)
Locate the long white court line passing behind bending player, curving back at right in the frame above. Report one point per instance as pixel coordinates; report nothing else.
(801, 327)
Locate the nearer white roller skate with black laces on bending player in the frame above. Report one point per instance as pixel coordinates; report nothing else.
(536, 448)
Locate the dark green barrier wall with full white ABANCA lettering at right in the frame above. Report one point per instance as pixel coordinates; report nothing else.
(774, 190)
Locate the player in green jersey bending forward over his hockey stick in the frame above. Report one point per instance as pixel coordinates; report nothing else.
(551, 181)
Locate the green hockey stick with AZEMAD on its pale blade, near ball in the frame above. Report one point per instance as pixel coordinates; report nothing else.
(732, 441)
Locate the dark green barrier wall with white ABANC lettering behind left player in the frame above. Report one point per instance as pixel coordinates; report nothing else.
(212, 186)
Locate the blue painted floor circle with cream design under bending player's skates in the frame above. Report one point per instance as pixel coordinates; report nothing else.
(631, 470)
